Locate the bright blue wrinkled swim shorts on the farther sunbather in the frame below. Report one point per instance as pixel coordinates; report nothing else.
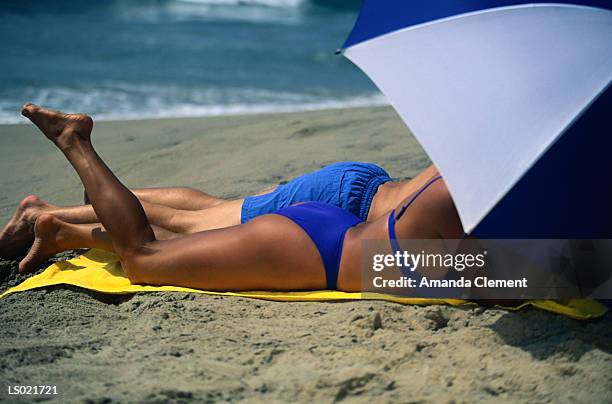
(350, 186)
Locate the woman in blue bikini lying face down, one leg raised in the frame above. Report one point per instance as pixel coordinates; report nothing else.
(321, 243)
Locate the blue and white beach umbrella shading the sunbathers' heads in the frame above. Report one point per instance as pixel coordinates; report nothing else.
(511, 101)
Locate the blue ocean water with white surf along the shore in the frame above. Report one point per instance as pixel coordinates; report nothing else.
(130, 59)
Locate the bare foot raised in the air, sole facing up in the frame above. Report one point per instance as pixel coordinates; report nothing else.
(62, 129)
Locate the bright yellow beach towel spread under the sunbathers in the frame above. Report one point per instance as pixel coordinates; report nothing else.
(101, 271)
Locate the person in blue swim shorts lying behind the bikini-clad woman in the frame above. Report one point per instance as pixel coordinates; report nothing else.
(363, 189)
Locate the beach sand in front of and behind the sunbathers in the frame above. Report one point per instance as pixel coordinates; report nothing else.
(181, 347)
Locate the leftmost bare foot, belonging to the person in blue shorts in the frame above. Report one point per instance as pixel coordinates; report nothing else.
(18, 234)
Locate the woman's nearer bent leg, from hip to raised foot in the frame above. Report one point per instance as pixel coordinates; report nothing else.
(270, 252)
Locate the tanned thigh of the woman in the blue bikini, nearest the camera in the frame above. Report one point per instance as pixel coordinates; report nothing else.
(269, 253)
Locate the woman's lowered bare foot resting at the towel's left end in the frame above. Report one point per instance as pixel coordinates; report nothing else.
(46, 244)
